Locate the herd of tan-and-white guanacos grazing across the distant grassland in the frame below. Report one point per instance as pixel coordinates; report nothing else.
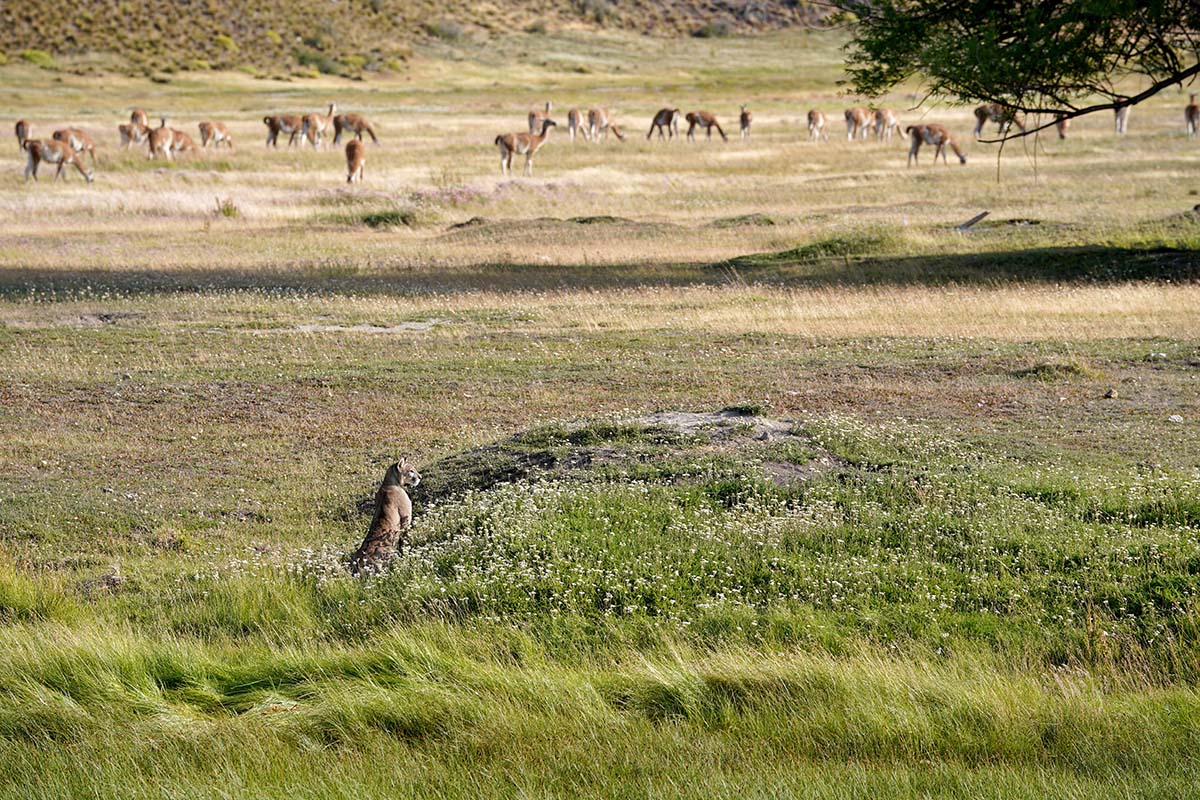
(69, 147)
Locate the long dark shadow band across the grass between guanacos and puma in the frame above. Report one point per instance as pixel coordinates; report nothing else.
(802, 267)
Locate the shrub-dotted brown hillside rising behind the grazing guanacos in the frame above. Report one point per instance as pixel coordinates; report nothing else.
(340, 38)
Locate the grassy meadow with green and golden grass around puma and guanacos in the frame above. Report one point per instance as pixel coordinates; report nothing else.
(963, 561)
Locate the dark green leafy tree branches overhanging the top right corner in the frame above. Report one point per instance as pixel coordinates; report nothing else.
(1028, 56)
